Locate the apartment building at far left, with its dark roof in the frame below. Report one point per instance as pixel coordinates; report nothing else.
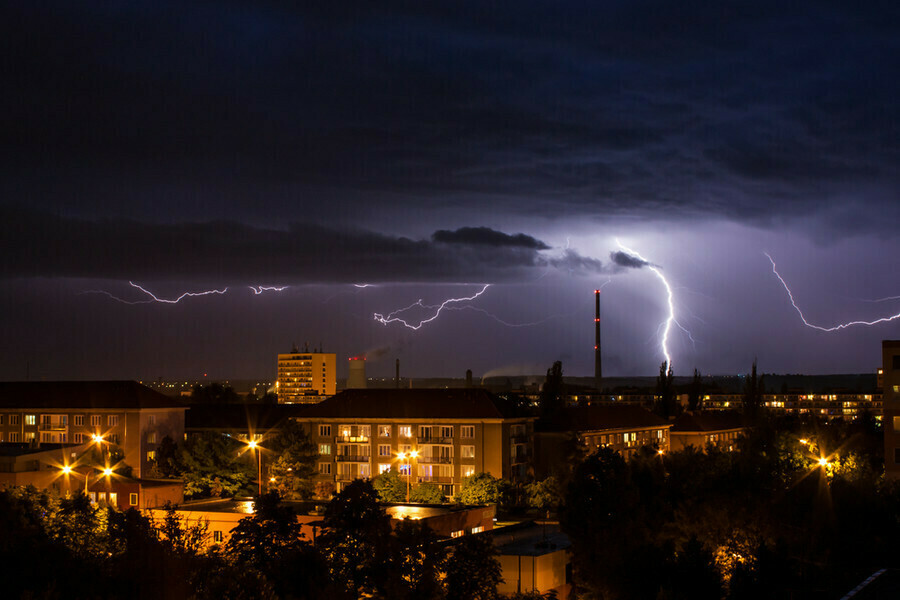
(125, 413)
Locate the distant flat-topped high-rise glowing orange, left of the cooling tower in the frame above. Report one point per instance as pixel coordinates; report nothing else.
(306, 377)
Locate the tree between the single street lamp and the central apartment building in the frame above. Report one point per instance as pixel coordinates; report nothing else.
(294, 468)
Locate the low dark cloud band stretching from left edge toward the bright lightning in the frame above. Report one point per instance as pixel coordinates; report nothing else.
(42, 245)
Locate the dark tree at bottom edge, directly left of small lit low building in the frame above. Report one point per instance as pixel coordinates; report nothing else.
(473, 570)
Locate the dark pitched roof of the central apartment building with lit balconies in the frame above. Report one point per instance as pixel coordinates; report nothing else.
(466, 403)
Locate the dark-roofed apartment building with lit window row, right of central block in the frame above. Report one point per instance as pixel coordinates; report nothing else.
(625, 429)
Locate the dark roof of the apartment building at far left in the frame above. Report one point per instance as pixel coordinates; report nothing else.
(82, 394)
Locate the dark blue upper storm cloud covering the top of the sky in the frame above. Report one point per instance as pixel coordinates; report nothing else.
(753, 111)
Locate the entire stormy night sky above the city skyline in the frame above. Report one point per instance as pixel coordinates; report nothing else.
(425, 149)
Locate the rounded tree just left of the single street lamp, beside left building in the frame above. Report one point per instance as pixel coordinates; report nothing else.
(215, 464)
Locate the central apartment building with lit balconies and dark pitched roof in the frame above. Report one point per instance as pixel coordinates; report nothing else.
(454, 433)
